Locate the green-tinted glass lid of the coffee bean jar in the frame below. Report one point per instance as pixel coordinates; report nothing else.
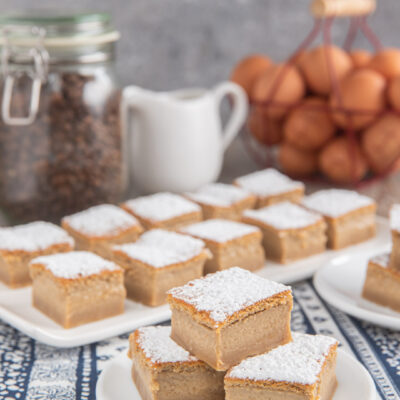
(59, 29)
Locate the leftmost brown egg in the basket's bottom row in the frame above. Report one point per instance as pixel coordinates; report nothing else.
(296, 162)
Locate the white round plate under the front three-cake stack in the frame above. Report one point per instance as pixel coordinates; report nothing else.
(354, 382)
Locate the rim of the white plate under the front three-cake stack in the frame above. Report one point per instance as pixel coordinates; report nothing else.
(123, 357)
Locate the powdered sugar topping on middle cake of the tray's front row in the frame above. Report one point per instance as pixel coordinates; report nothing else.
(219, 230)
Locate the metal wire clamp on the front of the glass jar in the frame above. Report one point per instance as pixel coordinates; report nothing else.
(36, 69)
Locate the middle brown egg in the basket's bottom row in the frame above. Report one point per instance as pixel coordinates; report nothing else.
(342, 161)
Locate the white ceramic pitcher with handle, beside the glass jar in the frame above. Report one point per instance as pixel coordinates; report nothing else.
(175, 140)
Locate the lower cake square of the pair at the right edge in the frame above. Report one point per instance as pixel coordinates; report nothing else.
(382, 283)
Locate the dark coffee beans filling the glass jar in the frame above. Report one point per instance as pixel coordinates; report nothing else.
(69, 158)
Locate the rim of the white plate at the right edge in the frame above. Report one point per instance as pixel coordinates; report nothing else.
(338, 300)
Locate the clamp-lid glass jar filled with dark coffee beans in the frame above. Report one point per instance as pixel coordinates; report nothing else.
(60, 138)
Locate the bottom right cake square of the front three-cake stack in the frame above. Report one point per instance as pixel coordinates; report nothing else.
(303, 369)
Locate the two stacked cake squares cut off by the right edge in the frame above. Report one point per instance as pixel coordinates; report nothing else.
(382, 283)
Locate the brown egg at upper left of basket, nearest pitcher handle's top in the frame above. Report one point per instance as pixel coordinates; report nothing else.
(249, 69)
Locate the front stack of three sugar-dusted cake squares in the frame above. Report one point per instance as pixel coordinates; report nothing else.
(230, 338)
